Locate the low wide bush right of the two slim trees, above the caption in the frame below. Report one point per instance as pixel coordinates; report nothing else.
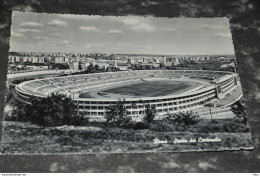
(188, 118)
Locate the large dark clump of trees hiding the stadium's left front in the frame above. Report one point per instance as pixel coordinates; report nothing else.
(55, 110)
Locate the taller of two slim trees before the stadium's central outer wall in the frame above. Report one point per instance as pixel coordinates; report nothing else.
(116, 113)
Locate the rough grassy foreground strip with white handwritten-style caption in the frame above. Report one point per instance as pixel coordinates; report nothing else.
(26, 138)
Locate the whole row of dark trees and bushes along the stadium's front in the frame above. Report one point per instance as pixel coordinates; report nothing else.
(58, 109)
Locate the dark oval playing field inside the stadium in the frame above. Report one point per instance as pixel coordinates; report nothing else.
(144, 89)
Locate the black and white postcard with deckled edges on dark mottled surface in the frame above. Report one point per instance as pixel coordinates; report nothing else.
(122, 84)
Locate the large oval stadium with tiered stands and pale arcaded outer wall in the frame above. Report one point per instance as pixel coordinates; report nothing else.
(167, 90)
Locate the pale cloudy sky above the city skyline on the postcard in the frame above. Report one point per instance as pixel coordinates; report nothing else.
(41, 32)
